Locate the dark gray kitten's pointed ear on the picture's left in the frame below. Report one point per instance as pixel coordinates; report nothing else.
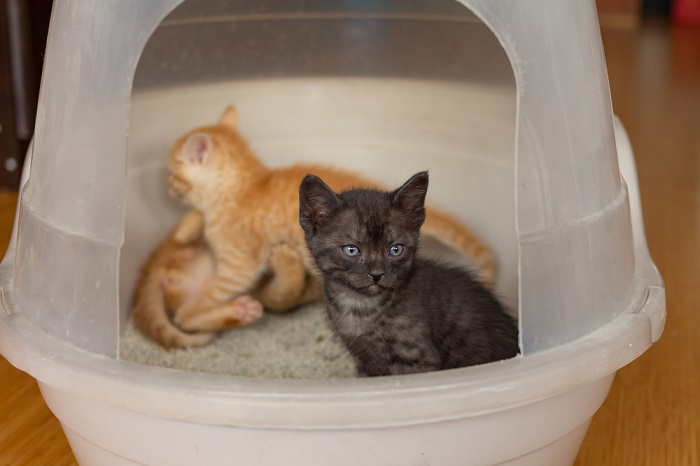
(316, 202)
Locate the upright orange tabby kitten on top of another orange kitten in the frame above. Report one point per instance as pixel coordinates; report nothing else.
(248, 210)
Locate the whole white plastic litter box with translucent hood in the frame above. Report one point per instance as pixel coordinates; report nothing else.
(506, 103)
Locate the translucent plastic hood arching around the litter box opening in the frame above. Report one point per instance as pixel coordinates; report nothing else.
(572, 205)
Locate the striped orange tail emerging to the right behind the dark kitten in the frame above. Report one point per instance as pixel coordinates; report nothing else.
(450, 231)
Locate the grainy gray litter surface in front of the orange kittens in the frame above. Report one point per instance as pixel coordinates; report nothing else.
(295, 345)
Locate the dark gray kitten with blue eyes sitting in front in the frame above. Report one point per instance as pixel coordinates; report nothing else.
(395, 312)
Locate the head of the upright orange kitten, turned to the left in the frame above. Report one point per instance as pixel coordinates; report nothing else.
(211, 160)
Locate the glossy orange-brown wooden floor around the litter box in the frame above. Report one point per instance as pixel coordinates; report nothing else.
(652, 416)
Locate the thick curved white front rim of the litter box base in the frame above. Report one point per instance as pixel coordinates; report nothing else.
(369, 402)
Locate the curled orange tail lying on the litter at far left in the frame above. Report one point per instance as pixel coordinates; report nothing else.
(151, 316)
